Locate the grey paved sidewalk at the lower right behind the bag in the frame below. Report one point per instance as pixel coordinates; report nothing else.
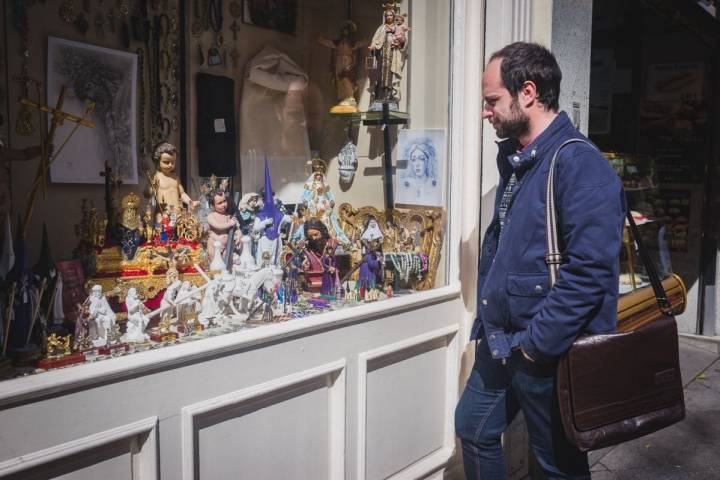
(687, 450)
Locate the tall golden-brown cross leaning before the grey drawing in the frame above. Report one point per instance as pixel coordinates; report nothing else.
(48, 153)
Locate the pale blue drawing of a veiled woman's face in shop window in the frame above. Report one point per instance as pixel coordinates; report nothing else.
(420, 167)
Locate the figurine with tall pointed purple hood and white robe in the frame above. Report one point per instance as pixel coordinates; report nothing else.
(268, 224)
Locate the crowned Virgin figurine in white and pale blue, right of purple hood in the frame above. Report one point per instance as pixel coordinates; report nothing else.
(319, 200)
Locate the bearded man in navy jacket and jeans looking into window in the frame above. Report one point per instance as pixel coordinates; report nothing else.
(523, 327)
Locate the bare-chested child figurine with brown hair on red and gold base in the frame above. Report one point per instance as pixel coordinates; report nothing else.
(165, 187)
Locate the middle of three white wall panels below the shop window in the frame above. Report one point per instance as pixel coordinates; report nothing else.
(299, 418)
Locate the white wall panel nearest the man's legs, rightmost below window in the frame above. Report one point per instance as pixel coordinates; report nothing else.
(402, 414)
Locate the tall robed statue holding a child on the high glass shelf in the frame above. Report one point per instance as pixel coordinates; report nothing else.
(388, 49)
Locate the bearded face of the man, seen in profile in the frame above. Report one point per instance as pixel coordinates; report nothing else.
(499, 107)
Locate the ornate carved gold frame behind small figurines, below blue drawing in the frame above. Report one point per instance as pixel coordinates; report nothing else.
(415, 229)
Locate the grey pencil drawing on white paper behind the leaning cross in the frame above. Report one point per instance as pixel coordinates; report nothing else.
(109, 79)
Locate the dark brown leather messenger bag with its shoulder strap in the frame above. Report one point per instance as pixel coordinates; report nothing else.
(616, 387)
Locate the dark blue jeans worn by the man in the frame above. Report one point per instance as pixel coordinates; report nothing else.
(492, 398)
